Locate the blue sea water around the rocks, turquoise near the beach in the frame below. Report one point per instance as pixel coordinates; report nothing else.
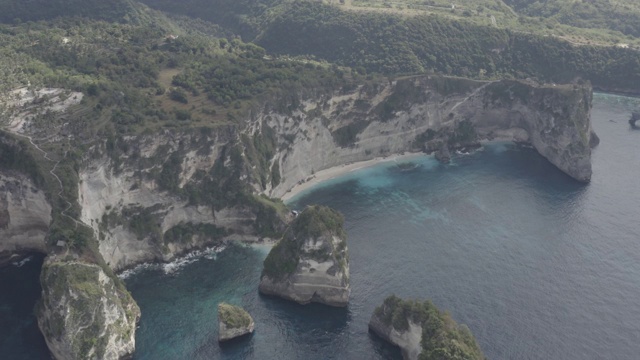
(537, 265)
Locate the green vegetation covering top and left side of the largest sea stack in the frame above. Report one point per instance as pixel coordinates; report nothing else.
(313, 223)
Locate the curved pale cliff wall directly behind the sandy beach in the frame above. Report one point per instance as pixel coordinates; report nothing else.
(429, 113)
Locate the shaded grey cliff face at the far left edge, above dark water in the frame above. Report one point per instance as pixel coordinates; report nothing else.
(25, 215)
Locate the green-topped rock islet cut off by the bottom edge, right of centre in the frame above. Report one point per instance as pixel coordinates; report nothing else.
(404, 324)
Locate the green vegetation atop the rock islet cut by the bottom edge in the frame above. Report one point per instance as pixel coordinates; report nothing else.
(442, 338)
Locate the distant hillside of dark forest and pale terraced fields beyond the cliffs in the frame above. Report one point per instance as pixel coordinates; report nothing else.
(431, 37)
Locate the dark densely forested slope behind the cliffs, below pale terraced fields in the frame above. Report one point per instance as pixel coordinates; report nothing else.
(396, 44)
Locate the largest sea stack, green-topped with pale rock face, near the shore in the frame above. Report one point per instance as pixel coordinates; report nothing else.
(310, 263)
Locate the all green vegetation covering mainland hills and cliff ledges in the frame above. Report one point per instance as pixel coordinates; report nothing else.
(143, 71)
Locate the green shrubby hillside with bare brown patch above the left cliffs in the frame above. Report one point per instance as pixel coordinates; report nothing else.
(140, 78)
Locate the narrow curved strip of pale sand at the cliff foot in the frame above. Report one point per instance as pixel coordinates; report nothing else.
(337, 171)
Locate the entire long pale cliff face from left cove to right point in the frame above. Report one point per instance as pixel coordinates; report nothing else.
(141, 189)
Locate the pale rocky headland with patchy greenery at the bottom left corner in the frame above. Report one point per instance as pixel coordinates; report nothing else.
(84, 314)
